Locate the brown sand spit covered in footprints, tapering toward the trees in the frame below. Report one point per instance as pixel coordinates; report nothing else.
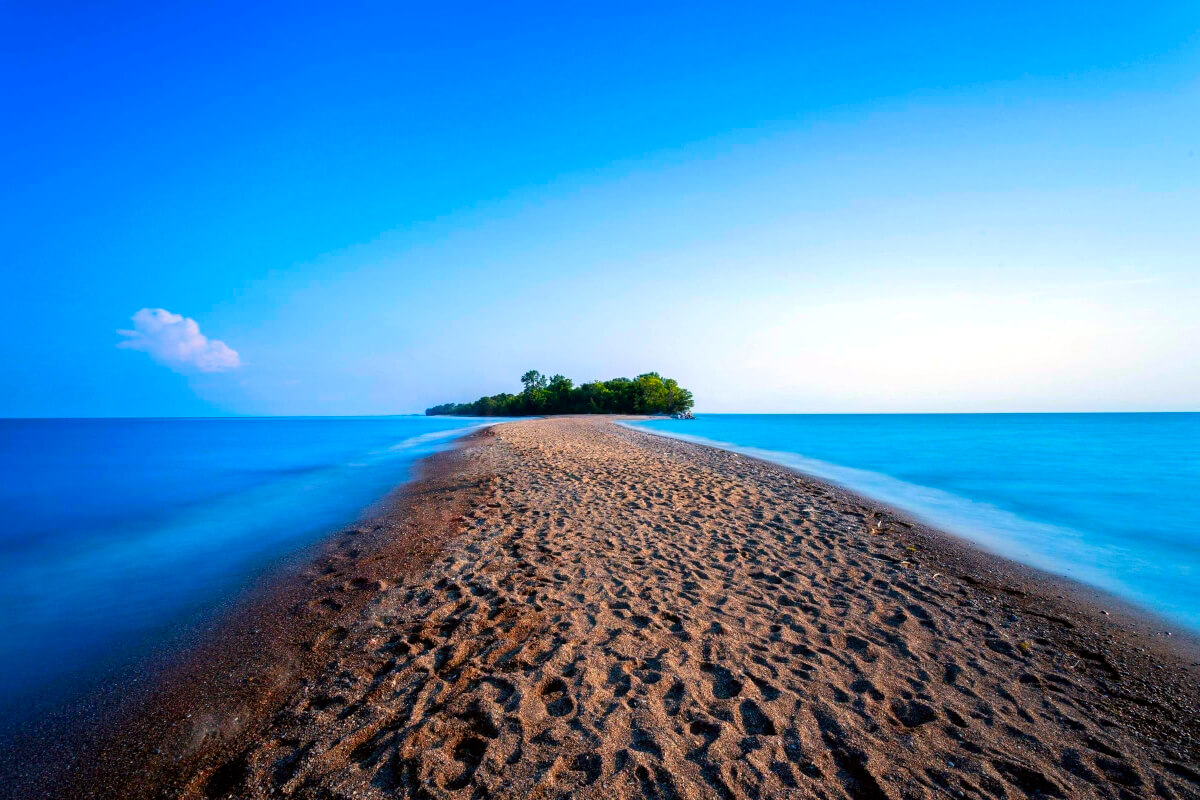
(569, 607)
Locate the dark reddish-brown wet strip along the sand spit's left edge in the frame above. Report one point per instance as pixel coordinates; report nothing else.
(263, 646)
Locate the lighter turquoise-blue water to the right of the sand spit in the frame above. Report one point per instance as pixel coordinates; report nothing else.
(1107, 500)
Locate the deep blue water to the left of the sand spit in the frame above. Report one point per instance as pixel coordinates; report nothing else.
(118, 534)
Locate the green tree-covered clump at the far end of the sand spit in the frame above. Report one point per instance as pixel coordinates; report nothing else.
(650, 394)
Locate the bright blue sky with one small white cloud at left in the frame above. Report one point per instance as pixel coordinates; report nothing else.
(351, 209)
